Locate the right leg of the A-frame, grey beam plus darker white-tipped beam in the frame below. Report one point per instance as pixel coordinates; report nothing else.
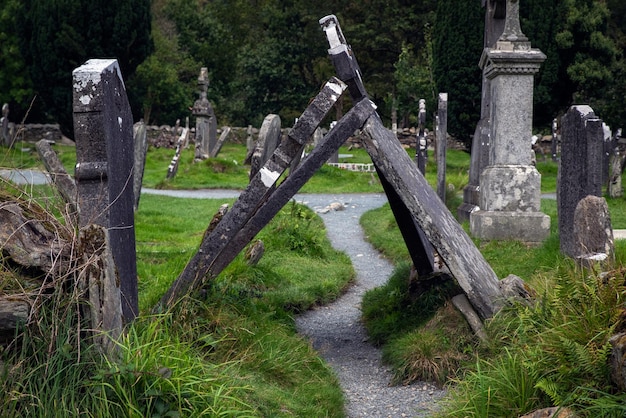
(414, 200)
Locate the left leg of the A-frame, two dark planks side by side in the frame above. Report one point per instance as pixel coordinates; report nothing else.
(262, 199)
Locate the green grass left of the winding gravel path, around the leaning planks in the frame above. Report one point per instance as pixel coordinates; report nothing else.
(229, 350)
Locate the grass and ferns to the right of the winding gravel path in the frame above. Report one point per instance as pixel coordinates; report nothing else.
(551, 353)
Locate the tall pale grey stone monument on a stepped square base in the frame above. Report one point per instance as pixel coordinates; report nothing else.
(510, 186)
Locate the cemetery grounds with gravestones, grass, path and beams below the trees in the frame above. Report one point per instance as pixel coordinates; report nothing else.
(504, 263)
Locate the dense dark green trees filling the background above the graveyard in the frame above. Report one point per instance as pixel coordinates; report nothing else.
(269, 56)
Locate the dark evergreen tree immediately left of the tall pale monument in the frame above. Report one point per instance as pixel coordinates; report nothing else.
(457, 47)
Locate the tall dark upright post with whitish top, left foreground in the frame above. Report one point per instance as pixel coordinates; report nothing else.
(103, 130)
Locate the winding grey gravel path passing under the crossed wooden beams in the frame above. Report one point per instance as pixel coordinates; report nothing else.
(336, 331)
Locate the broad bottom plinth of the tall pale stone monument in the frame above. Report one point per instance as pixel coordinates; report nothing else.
(529, 227)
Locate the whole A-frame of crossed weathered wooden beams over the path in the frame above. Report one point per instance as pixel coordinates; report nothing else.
(424, 220)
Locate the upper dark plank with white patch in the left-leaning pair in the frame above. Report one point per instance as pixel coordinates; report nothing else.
(260, 187)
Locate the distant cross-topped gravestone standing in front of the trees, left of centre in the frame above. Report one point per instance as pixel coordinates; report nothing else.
(206, 125)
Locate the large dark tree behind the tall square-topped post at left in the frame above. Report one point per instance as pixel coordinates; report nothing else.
(60, 35)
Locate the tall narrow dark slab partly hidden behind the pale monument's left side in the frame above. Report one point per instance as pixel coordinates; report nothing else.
(495, 15)
